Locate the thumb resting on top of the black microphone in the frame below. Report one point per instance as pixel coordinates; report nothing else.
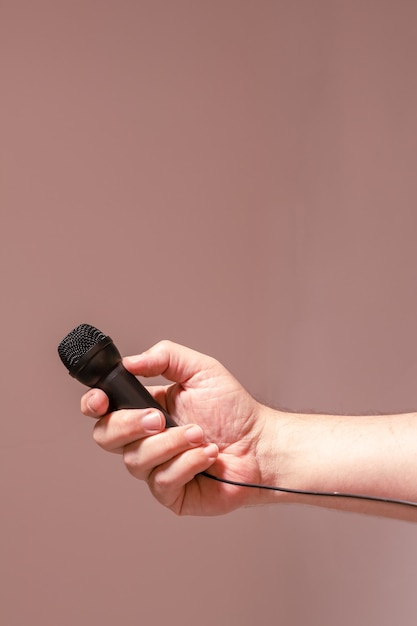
(171, 360)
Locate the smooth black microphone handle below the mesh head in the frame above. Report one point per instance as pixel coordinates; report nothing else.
(126, 392)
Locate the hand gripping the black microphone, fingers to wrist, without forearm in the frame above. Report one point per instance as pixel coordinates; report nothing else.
(221, 428)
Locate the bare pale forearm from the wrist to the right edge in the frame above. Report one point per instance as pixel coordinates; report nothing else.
(367, 455)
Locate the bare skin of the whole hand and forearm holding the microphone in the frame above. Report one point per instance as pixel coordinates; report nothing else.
(223, 430)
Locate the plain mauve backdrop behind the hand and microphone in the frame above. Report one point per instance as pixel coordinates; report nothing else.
(238, 176)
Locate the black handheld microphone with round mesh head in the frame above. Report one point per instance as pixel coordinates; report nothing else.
(92, 358)
